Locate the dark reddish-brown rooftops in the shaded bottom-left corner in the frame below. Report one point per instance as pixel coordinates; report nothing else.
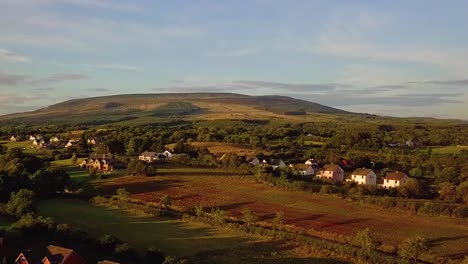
(53, 255)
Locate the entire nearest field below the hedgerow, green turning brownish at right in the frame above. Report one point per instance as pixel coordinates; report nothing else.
(204, 244)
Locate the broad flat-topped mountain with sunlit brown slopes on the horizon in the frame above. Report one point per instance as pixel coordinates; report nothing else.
(154, 107)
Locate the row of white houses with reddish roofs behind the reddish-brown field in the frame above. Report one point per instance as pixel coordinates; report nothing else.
(335, 173)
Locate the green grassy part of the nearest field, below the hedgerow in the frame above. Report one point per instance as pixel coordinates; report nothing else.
(141, 232)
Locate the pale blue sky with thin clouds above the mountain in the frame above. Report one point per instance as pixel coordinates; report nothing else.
(399, 58)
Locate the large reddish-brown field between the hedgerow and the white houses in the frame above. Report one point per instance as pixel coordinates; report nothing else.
(211, 188)
